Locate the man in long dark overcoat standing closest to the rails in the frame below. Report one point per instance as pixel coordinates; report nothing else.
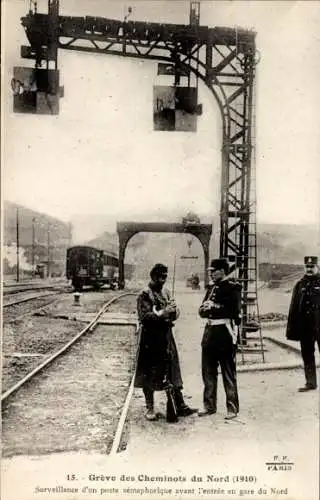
(158, 360)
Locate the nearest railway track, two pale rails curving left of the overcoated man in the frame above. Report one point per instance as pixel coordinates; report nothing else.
(22, 388)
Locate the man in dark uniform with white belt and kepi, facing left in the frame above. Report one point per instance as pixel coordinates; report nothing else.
(221, 308)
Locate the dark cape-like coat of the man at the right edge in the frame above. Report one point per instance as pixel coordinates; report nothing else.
(304, 311)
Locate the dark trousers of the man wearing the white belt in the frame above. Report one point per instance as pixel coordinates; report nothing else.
(218, 349)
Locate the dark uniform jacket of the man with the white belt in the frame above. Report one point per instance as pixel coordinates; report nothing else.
(226, 295)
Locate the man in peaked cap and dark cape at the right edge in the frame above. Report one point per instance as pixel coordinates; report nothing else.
(304, 319)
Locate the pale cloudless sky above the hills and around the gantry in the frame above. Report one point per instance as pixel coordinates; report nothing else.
(100, 154)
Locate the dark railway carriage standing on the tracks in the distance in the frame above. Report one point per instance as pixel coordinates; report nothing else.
(89, 266)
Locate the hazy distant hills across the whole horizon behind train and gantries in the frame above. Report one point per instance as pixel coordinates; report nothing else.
(276, 243)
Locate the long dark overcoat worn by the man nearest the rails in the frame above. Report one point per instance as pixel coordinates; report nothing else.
(157, 355)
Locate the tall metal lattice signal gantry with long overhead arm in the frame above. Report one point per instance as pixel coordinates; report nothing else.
(224, 59)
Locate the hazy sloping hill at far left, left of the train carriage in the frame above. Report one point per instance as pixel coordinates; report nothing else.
(48, 232)
